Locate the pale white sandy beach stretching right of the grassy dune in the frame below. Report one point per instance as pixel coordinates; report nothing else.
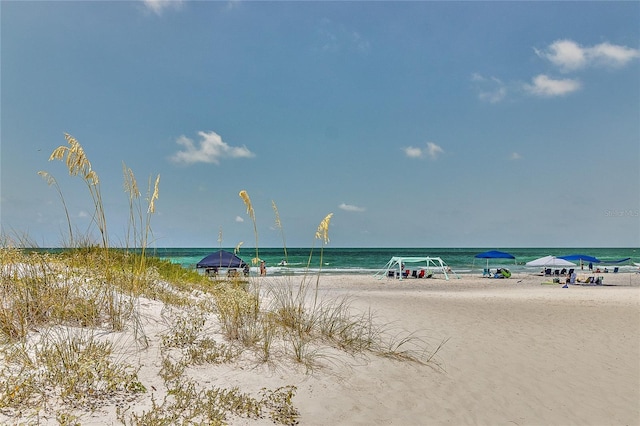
(516, 353)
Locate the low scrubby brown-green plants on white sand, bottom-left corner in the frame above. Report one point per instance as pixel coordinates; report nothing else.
(64, 366)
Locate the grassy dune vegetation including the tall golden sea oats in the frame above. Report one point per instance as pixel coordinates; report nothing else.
(74, 324)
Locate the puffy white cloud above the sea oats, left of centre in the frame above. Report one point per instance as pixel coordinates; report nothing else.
(211, 149)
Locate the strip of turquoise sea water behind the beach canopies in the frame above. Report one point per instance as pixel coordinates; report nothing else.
(371, 260)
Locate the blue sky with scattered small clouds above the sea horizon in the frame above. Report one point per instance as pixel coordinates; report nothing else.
(417, 124)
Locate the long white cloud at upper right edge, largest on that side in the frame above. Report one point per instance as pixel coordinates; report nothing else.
(570, 56)
